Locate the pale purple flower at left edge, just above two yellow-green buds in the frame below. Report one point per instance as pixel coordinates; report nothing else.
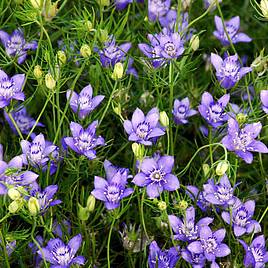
(11, 174)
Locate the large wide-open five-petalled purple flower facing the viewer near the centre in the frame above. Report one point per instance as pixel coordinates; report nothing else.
(156, 176)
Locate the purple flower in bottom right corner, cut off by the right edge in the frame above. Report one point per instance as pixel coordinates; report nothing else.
(256, 254)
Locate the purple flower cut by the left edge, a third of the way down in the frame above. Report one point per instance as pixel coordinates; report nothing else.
(10, 88)
